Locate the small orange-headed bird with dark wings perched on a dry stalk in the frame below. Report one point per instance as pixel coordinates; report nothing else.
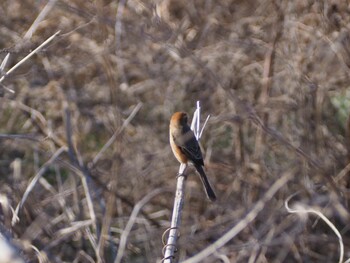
(186, 148)
